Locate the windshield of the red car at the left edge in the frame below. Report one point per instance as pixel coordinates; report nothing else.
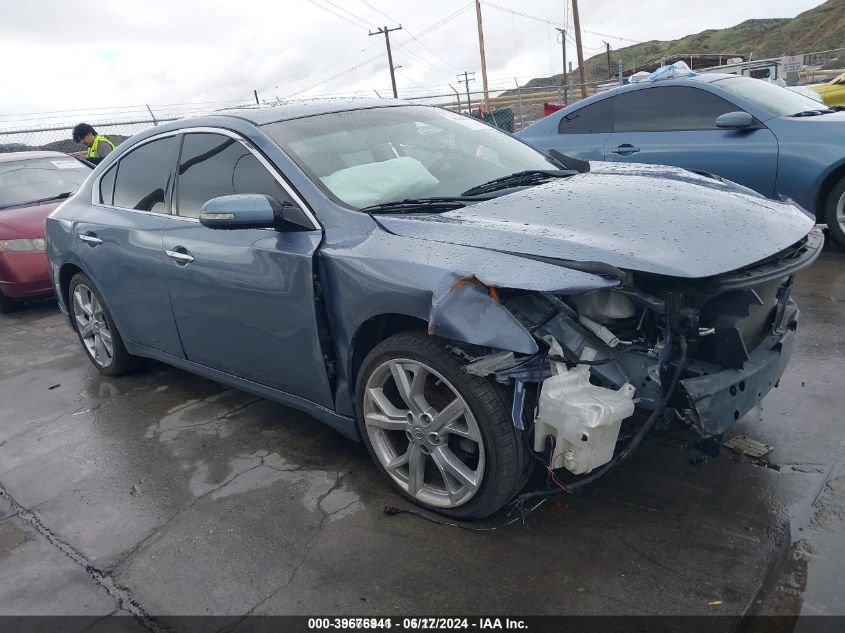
(28, 180)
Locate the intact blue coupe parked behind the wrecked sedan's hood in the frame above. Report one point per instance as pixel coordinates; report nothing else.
(773, 140)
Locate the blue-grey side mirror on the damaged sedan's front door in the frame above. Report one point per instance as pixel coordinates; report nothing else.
(251, 211)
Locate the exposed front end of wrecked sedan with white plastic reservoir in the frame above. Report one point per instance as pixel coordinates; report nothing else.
(702, 352)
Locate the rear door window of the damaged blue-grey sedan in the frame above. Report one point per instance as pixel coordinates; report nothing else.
(144, 176)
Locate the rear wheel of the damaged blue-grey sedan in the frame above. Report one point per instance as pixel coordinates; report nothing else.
(96, 329)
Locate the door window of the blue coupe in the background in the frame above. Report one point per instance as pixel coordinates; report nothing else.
(668, 109)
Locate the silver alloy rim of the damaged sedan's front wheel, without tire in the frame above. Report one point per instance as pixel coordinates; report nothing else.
(423, 433)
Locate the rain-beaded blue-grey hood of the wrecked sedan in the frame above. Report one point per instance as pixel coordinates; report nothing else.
(648, 218)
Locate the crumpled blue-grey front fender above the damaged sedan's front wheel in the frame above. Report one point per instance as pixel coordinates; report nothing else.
(451, 287)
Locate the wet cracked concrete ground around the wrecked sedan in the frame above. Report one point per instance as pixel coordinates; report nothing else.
(164, 493)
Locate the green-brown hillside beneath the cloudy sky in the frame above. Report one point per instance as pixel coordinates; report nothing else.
(818, 29)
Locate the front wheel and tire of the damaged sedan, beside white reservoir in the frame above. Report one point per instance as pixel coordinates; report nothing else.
(443, 438)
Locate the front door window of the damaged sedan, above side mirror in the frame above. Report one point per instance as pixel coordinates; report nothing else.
(213, 165)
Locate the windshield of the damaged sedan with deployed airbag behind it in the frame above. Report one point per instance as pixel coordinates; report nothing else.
(379, 155)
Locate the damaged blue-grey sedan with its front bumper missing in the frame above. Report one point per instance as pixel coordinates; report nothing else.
(461, 303)
